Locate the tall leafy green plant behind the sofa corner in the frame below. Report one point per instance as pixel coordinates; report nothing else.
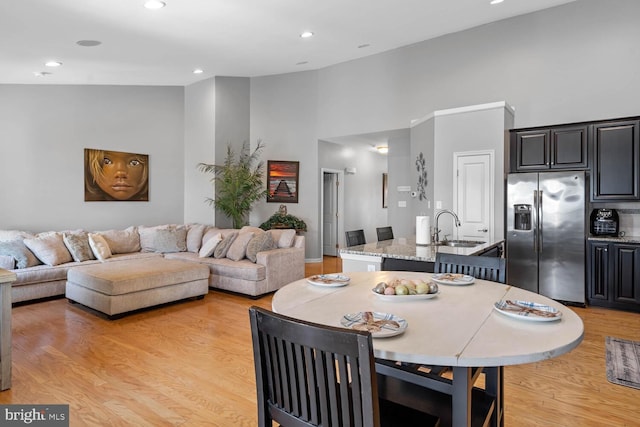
(238, 183)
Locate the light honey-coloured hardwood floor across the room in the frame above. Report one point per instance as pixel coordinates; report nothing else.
(190, 364)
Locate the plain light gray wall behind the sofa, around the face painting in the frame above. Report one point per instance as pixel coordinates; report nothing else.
(44, 132)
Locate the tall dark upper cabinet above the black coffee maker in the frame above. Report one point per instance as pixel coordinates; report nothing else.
(616, 165)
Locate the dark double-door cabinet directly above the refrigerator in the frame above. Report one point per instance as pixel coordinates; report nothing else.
(562, 147)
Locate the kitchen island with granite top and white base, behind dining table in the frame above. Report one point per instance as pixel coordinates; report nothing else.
(404, 254)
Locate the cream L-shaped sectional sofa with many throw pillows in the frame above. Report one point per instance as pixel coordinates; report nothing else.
(249, 261)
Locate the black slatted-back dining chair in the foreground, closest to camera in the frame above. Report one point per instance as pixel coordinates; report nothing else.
(309, 374)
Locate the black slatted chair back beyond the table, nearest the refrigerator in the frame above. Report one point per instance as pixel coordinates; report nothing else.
(485, 268)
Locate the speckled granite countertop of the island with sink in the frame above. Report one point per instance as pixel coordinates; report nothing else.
(406, 248)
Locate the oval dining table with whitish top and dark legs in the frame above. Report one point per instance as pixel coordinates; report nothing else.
(459, 327)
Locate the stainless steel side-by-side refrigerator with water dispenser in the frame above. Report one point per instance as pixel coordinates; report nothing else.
(545, 234)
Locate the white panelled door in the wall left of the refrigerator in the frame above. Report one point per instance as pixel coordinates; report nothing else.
(474, 194)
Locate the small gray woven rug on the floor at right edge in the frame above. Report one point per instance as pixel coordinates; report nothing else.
(623, 362)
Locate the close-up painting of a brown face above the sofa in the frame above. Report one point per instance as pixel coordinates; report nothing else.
(115, 175)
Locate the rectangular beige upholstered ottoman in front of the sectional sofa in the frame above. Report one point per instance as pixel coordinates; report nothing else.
(115, 288)
